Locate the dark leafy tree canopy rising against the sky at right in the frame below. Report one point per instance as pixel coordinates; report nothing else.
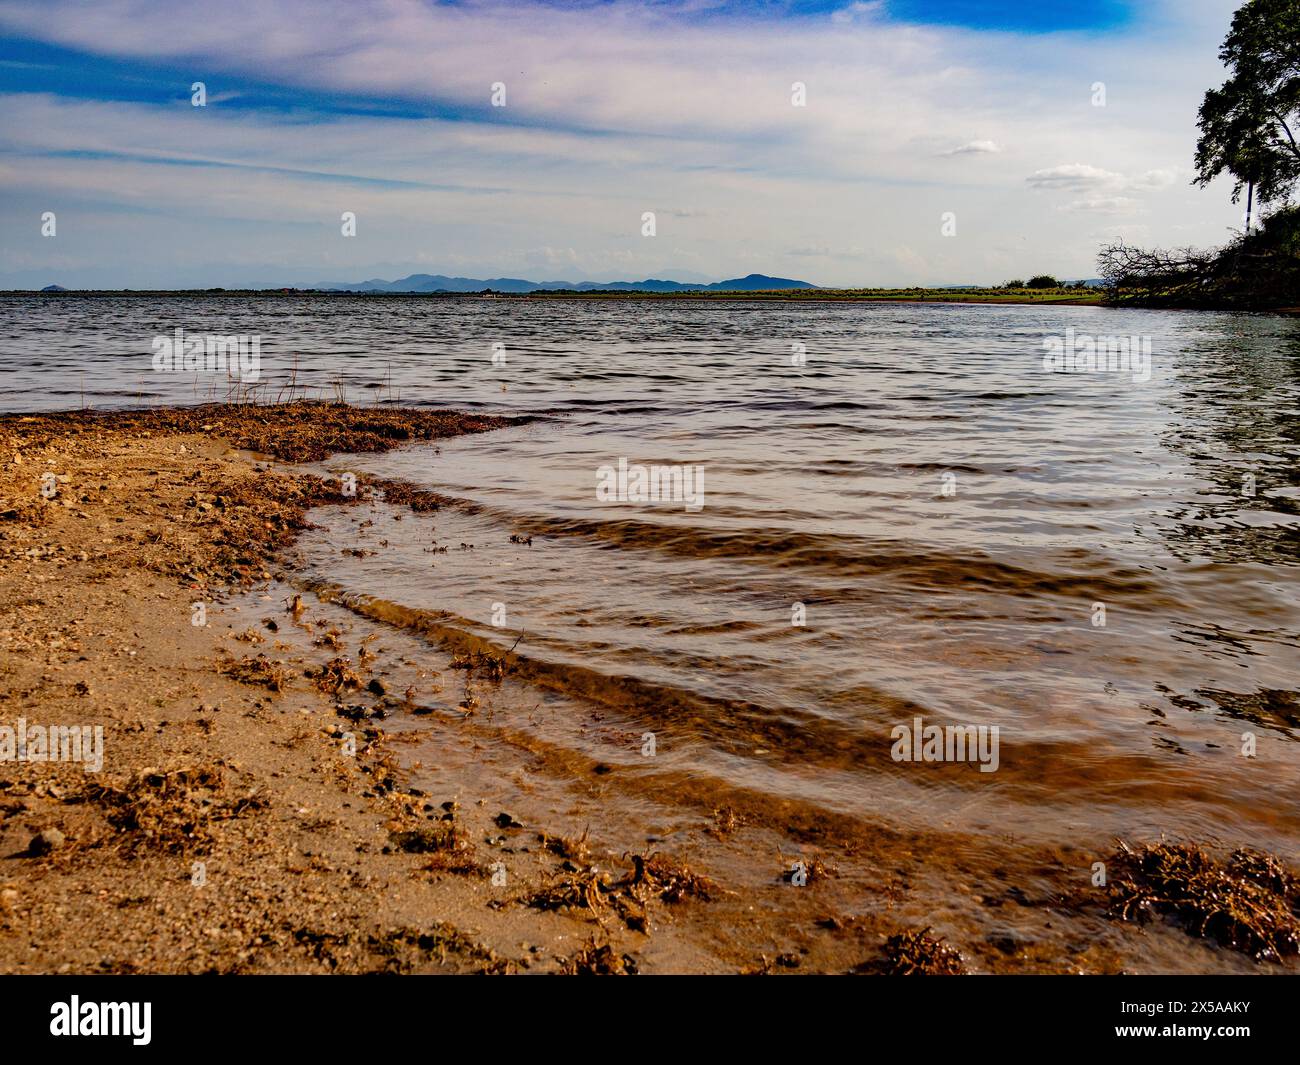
(1251, 124)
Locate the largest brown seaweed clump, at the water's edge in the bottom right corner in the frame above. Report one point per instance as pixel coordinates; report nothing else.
(1249, 903)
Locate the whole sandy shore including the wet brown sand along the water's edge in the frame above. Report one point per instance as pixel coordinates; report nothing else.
(296, 786)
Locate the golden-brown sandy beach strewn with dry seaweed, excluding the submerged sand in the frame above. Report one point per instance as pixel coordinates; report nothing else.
(249, 816)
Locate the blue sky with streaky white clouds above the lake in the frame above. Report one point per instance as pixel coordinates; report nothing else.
(896, 142)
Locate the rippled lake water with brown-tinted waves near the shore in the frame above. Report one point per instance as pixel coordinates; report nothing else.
(954, 519)
